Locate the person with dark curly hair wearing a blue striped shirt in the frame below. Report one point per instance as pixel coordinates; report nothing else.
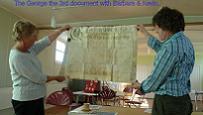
(170, 77)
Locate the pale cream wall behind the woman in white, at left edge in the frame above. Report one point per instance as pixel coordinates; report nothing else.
(6, 22)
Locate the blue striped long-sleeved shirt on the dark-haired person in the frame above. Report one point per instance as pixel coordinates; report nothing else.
(172, 67)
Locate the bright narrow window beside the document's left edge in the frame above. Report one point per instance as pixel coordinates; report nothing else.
(60, 47)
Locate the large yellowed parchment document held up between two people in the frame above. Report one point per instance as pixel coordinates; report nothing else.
(101, 53)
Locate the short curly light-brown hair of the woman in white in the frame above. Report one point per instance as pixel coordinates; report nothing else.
(22, 29)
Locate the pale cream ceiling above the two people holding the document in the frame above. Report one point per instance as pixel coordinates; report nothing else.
(41, 16)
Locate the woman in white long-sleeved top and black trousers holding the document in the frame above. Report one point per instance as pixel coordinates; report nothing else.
(28, 79)
